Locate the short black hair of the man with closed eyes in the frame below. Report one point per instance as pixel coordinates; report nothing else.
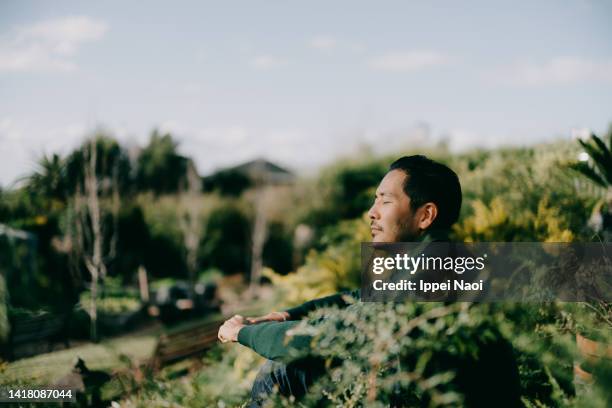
(430, 181)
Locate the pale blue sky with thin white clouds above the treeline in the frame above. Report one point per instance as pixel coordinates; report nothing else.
(299, 83)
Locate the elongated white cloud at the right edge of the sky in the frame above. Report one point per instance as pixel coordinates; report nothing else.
(559, 70)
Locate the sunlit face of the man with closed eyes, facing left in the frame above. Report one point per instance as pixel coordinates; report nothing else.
(391, 218)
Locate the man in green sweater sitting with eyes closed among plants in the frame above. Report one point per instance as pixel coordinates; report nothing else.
(417, 200)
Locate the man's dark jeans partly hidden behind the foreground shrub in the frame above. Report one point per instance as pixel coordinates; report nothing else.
(292, 379)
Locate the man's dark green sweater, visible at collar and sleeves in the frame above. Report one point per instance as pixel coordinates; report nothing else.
(270, 339)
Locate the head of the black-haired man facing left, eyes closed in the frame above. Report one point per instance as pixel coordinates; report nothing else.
(415, 195)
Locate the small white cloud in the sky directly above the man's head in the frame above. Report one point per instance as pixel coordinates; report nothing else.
(407, 61)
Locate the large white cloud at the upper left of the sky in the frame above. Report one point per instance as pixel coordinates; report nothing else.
(49, 45)
